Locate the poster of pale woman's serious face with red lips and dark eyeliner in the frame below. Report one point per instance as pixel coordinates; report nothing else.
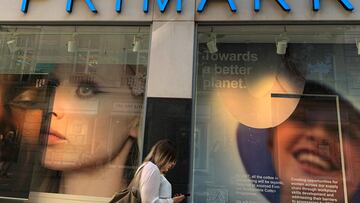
(91, 141)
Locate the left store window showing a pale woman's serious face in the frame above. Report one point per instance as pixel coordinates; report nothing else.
(71, 106)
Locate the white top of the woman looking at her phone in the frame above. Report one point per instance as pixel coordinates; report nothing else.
(154, 187)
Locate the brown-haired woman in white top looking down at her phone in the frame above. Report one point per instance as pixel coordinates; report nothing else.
(154, 187)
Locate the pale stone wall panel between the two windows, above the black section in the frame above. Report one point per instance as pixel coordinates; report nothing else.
(171, 60)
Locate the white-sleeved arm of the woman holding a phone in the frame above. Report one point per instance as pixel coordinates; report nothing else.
(150, 185)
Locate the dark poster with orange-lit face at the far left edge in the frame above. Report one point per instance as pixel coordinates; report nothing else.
(23, 97)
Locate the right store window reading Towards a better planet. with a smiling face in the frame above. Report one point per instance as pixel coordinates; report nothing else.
(277, 114)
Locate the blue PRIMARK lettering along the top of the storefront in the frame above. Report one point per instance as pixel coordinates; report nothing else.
(162, 4)
